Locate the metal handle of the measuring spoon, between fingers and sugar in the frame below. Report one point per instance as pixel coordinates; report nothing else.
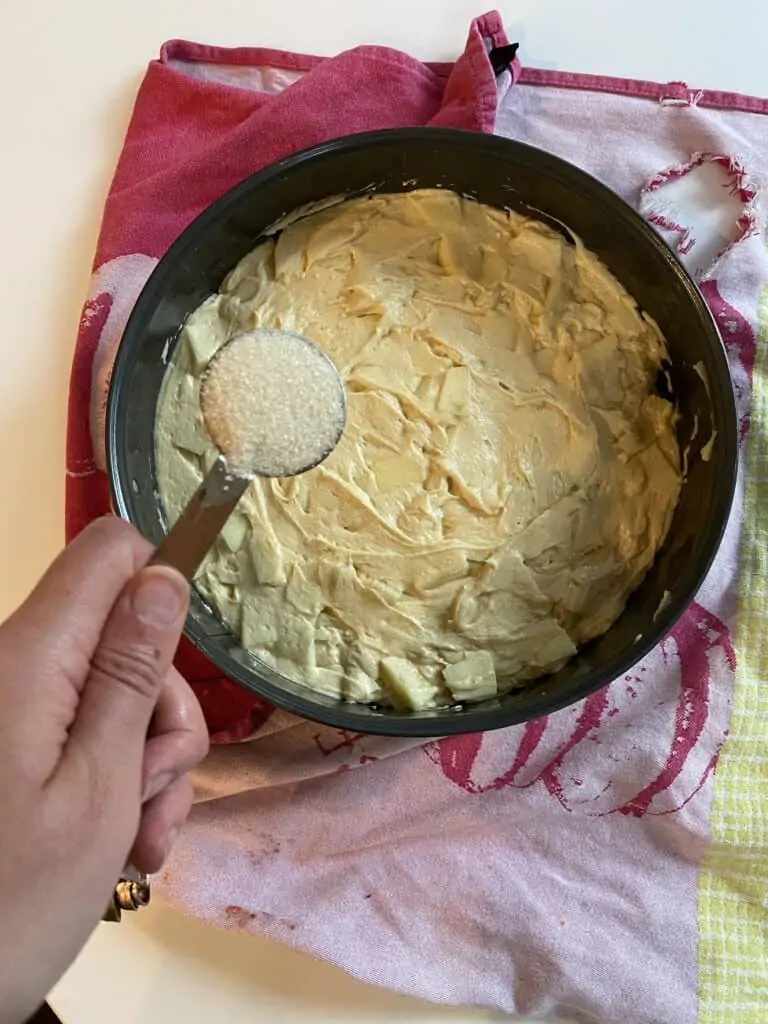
(192, 536)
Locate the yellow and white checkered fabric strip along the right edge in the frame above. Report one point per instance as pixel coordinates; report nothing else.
(734, 884)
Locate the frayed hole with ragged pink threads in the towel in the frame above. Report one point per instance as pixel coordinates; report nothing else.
(707, 205)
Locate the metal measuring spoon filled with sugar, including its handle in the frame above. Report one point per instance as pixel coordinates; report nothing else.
(274, 405)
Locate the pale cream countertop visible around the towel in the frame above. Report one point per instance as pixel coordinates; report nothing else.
(69, 76)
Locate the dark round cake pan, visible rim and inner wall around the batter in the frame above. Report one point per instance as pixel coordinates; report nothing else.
(504, 175)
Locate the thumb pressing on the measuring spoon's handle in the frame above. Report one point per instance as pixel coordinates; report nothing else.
(129, 671)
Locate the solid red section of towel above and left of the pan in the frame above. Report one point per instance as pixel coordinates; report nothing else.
(206, 118)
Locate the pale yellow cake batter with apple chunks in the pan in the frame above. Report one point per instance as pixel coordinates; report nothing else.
(506, 477)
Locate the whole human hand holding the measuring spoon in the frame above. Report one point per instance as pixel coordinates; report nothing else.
(98, 732)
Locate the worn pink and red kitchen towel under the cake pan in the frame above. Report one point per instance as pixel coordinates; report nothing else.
(550, 869)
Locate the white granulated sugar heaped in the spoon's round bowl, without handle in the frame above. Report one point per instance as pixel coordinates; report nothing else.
(273, 403)
